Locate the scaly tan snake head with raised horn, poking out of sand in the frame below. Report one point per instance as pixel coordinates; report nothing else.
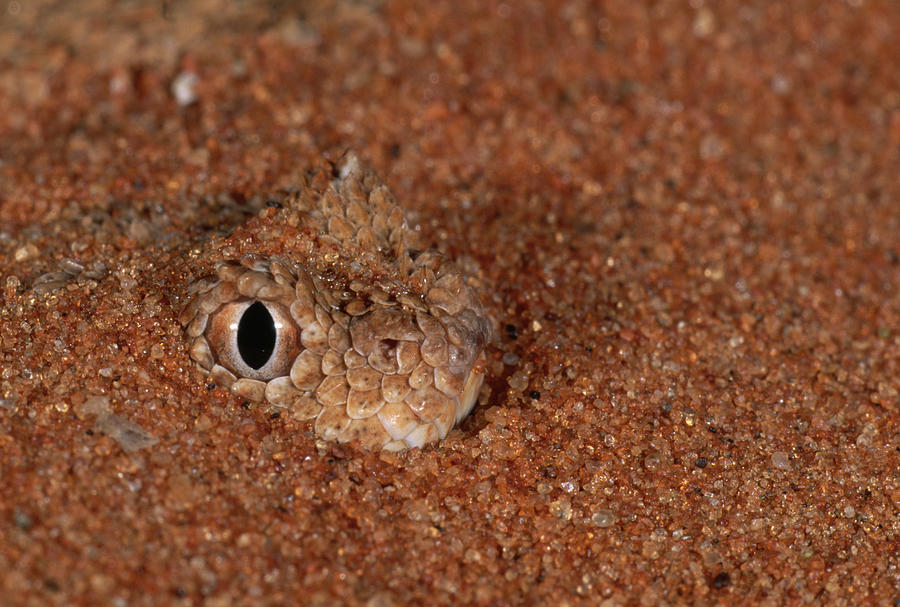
(354, 326)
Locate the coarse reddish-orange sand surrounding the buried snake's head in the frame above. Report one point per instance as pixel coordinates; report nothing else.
(686, 220)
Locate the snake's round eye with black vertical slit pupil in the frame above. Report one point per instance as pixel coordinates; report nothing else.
(254, 339)
